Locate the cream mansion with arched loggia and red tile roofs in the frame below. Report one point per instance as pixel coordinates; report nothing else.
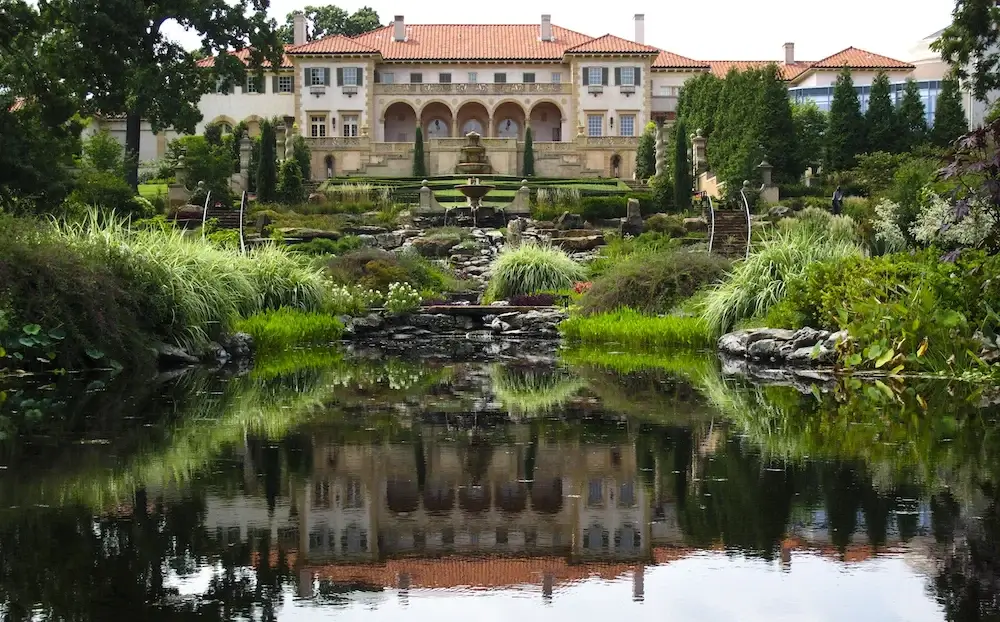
(586, 99)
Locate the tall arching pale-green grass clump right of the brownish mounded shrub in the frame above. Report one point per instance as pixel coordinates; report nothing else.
(760, 281)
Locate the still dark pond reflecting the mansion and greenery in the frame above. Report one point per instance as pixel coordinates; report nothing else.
(322, 486)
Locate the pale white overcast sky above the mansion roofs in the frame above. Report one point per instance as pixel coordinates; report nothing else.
(700, 29)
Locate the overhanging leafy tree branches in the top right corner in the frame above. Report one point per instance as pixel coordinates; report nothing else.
(970, 45)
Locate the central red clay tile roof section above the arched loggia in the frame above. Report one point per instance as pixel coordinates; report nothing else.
(472, 42)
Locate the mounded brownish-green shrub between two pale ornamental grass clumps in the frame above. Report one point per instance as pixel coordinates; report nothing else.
(652, 283)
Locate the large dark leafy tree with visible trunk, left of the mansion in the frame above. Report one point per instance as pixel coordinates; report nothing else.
(124, 63)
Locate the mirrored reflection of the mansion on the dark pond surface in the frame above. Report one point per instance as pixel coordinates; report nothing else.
(385, 514)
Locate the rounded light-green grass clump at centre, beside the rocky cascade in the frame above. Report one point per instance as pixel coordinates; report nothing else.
(531, 268)
